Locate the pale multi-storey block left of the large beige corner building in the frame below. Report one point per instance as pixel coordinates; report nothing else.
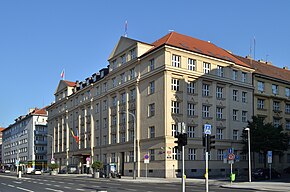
(25, 141)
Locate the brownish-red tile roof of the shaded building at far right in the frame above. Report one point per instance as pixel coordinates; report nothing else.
(266, 69)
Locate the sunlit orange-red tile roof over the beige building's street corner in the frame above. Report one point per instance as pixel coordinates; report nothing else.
(196, 45)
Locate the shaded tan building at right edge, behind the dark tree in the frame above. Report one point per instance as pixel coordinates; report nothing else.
(271, 101)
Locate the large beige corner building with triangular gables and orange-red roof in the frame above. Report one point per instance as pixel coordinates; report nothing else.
(154, 86)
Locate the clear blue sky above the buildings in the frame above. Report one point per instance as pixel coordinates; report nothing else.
(40, 38)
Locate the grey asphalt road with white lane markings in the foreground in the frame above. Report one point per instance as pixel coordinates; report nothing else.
(46, 183)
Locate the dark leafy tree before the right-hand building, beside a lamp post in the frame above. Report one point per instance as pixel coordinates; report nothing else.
(265, 137)
